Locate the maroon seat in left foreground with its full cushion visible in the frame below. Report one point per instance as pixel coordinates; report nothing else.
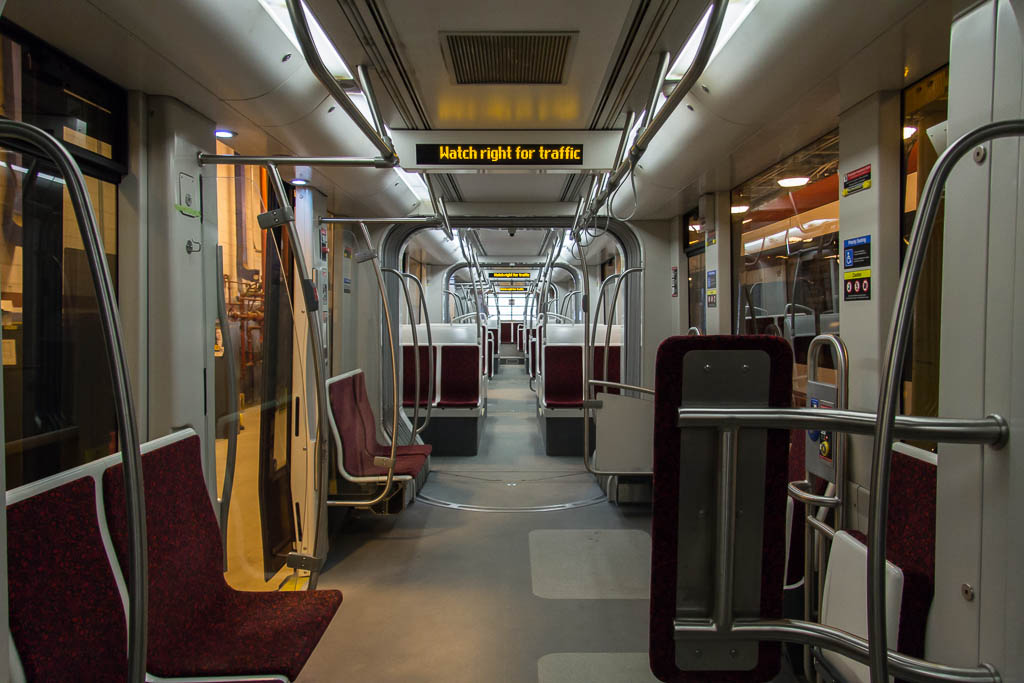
(200, 626)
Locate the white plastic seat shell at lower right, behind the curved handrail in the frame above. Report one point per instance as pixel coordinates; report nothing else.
(844, 603)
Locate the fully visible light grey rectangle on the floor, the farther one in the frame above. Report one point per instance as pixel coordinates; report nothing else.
(590, 565)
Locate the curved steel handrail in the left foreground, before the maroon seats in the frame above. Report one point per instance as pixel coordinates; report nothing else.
(123, 403)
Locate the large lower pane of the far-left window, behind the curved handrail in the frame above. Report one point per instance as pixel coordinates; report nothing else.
(59, 401)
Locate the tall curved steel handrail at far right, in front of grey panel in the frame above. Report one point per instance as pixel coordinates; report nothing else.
(890, 386)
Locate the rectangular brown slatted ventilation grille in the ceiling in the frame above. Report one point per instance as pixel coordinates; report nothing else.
(507, 59)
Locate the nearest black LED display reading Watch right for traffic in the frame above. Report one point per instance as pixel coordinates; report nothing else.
(499, 155)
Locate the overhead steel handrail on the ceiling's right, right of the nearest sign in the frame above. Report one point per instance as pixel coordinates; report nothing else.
(679, 92)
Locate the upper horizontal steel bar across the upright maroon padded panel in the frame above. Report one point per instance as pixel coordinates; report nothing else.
(992, 431)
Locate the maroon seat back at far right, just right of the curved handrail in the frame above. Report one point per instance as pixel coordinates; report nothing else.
(911, 545)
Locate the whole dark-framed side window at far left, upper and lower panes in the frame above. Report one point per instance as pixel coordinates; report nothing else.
(58, 398)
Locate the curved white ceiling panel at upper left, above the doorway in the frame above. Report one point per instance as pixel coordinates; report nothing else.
(227, 61)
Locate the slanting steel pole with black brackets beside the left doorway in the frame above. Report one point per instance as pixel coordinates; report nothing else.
(320, 371)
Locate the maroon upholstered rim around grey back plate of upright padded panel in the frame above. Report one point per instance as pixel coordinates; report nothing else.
(665, 526)
